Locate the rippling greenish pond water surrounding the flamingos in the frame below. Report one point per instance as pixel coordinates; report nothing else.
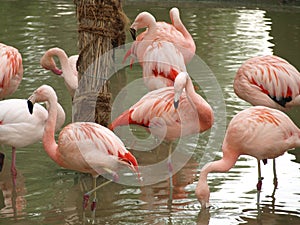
(224, 37)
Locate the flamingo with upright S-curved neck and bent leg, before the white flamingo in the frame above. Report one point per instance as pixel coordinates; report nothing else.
(82, 146)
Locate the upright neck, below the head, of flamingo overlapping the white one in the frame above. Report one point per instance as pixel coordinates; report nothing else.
(49, 142)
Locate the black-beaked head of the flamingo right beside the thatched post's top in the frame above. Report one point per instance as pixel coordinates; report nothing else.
(144, 19)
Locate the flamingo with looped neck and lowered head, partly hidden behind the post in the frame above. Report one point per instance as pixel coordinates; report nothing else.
(68, 67)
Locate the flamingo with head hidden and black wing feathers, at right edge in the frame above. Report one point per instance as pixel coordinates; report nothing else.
(269, 81)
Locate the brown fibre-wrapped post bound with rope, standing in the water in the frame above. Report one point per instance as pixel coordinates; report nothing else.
(101, 27)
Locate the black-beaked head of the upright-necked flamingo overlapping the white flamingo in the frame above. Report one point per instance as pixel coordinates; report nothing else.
(42, 94)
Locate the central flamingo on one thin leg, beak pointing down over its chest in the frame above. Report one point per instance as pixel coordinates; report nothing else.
(170, 113)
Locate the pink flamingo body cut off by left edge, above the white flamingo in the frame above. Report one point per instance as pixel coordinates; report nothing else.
(11, 70)
